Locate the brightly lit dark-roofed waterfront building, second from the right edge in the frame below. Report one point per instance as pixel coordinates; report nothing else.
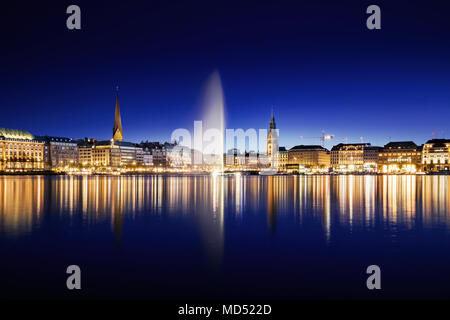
(400, 157)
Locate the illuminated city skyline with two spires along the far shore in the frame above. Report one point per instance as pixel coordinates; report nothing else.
(21, 151)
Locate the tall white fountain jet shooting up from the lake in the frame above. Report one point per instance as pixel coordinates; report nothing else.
(214, 122)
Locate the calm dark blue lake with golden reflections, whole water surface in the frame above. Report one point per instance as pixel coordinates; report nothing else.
(187, 237)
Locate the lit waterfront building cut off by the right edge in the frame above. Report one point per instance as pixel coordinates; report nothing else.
(436, 155)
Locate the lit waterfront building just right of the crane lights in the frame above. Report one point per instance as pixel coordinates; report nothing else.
(354, 157)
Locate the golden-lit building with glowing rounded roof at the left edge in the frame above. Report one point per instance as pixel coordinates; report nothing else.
(19, 149)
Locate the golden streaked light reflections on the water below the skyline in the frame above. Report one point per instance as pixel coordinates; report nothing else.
(350, 201)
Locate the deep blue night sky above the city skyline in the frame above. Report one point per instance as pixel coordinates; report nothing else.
(315, 61)
